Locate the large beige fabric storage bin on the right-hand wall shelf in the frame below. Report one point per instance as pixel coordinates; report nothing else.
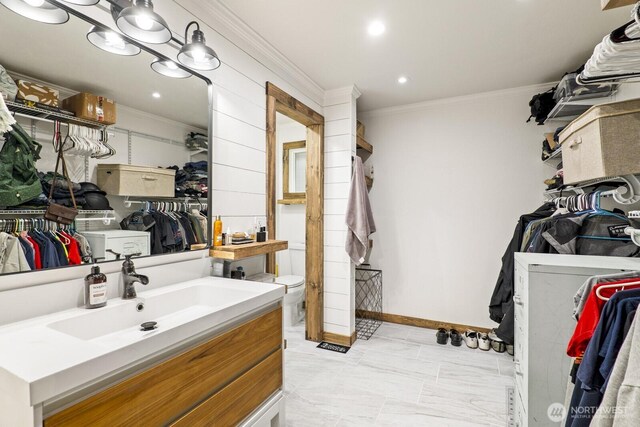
(602, 142)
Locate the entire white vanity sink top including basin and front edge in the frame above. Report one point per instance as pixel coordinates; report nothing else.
(51, 355)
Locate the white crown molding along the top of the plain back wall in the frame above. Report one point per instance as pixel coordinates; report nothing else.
(418, 106)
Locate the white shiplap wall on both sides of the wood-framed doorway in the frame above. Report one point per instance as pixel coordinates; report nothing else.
(239, 154)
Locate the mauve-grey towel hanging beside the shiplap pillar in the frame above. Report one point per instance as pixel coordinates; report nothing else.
(359, 217)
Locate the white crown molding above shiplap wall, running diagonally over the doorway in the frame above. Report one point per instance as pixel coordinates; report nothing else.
(219, 16)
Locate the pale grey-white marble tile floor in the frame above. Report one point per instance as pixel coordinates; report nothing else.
(400, 377)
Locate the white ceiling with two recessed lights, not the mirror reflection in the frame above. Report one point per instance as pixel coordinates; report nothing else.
(446, 47)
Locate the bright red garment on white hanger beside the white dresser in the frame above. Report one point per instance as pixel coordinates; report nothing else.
(591, 316)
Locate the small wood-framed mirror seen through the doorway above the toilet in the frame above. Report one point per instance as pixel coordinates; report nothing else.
(294, 172)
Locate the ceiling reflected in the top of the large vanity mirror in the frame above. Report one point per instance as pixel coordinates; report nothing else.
(61, 55)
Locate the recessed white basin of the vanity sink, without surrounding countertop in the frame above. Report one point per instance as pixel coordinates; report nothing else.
(168, 307)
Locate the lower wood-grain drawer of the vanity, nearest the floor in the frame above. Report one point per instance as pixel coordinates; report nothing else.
(237, 400)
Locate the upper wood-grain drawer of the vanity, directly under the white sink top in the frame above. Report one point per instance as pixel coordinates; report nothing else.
(168, 390)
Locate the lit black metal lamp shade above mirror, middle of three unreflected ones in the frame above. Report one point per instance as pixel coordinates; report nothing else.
(140, 22)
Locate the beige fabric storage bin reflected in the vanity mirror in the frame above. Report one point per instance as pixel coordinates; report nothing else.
(130, 180)
